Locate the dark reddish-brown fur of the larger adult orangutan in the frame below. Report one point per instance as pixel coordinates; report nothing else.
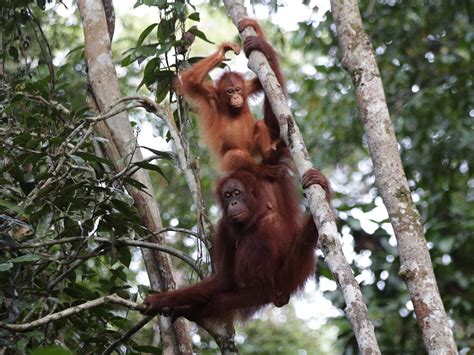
(264, 257)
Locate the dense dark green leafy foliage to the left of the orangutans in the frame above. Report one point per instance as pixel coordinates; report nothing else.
(58, 194)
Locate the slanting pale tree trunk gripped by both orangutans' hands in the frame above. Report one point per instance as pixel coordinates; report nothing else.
(323, 216)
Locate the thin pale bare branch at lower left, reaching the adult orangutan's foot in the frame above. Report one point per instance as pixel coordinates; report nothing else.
(73, 310)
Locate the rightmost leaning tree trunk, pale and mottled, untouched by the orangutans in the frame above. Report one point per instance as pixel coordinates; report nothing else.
(416, 268)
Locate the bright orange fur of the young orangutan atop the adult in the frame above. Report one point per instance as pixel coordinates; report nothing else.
(230, 132)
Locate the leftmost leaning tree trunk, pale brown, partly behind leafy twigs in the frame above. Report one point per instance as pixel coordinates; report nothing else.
(122, 150)
